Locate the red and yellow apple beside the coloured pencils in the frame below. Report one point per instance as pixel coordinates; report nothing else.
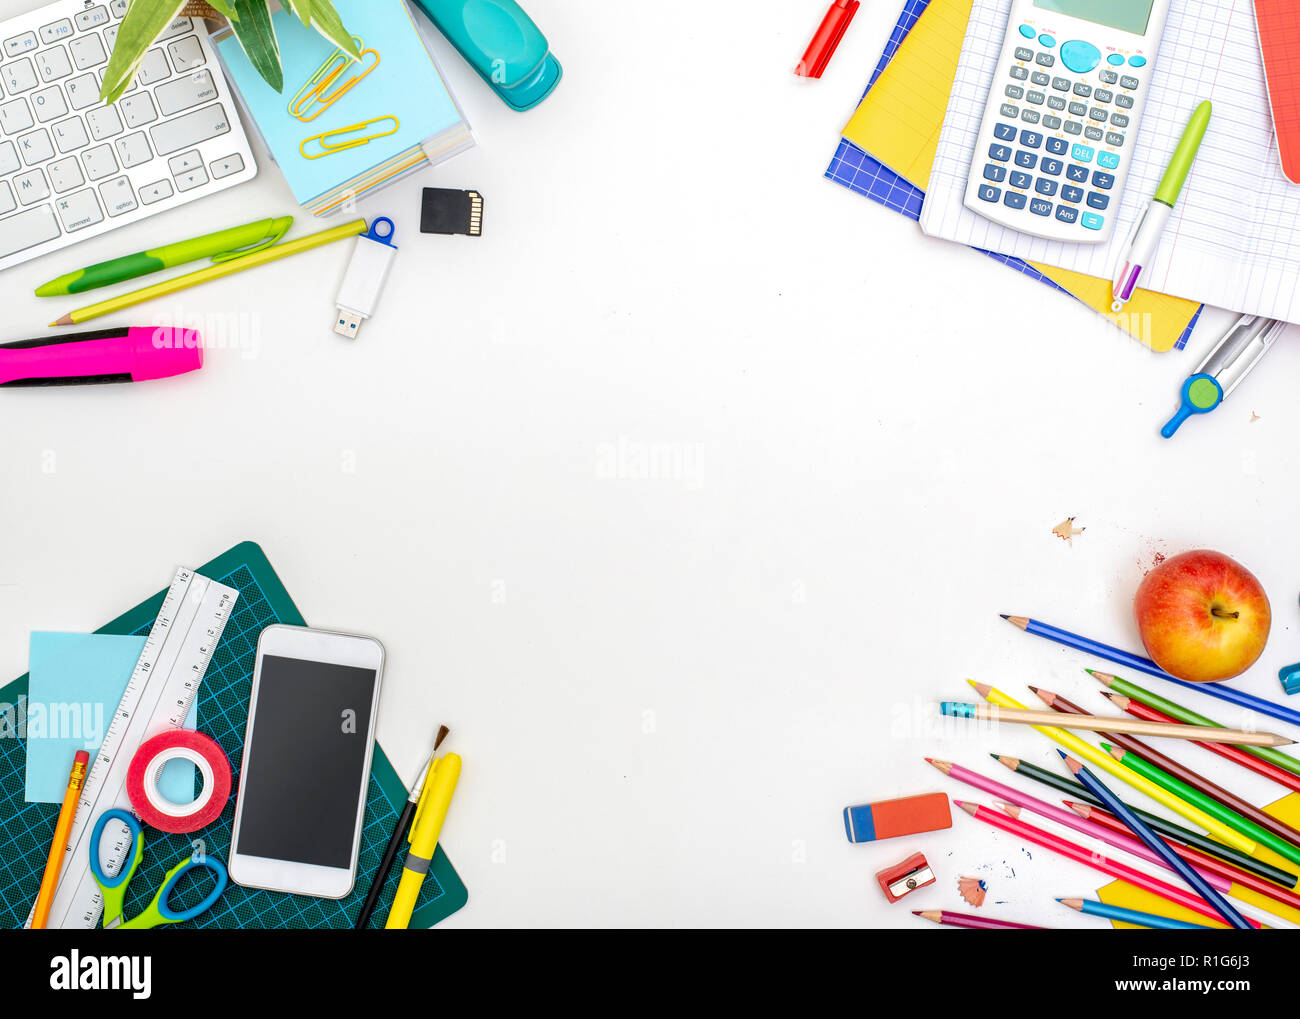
(1203, 617)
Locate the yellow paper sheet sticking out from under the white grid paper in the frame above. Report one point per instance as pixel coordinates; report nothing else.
(899, 124)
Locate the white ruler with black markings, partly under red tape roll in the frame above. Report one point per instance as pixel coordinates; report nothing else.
(158, 700)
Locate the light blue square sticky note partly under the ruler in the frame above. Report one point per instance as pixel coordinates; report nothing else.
(77, 682)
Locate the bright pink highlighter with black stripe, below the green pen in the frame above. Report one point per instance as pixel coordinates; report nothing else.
(102, 355)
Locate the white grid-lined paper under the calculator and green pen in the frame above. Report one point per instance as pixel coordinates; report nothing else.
(1234, 240)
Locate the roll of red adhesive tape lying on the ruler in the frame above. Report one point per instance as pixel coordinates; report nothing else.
(155, 809)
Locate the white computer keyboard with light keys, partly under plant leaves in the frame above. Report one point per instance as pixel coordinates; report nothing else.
(72, 168)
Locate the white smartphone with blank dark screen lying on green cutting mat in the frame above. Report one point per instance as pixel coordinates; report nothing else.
(307, 762)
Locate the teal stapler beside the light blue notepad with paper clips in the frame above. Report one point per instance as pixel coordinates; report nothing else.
(502, 44)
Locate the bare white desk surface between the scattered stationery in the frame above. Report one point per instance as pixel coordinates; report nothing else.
(682, 496)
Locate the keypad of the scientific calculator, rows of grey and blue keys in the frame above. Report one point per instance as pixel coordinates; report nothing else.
(1059, 142)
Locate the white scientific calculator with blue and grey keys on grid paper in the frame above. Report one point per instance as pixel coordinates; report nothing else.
(1061, 119)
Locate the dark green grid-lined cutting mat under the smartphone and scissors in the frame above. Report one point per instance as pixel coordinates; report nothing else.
(28, 829)
